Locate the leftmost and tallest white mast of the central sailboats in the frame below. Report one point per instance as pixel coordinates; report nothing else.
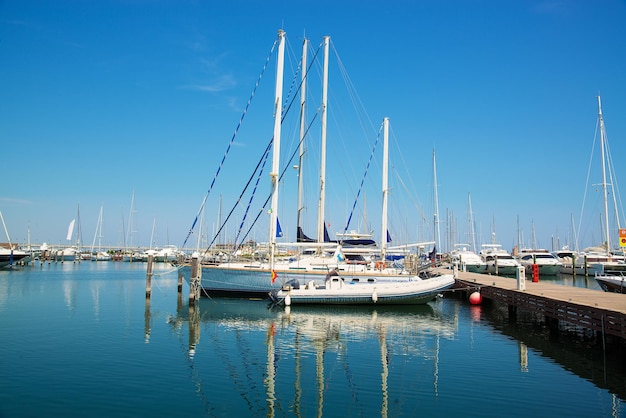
(276, 145)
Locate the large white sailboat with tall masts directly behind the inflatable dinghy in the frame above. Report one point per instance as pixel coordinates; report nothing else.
(257, 278)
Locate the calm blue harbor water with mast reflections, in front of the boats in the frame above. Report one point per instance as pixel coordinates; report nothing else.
(80, 340)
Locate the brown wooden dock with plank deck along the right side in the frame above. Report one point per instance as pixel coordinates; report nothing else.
(592, 309)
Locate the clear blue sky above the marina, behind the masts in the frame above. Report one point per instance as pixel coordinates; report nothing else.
(100, 100)
